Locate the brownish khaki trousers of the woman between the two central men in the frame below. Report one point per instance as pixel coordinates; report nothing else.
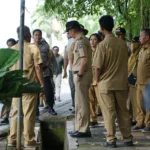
(93, 96)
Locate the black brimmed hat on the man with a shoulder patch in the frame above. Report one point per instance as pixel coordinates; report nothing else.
(71, 25)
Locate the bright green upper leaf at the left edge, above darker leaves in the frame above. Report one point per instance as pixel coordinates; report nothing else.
(8, 57)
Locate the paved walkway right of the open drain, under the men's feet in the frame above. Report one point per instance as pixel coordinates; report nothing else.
(99, 137)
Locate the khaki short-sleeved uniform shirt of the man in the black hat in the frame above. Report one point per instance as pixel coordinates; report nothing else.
(81, 48)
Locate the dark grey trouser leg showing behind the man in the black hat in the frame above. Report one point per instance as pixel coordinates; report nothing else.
(72, 88)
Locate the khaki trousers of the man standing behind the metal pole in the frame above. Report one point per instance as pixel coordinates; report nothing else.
(29, 102)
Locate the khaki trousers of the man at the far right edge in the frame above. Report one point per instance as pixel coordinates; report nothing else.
(143, 116)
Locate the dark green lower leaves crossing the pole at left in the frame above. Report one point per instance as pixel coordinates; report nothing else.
(13, 84)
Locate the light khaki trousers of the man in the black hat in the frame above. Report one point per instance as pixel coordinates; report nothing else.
(82, 108)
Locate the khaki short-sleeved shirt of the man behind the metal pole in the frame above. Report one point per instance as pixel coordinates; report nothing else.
(31, 58)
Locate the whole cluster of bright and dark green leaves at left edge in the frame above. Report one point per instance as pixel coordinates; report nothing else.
(12, 83)
